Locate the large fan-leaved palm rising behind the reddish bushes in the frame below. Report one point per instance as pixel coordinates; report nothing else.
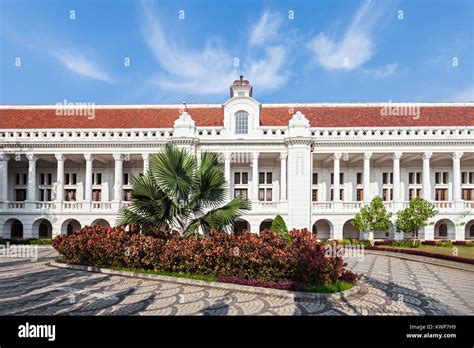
(181, 195)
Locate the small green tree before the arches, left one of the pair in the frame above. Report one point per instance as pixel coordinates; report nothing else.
(373, 217)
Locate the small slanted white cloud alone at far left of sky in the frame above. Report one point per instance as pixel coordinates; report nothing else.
(81, 66)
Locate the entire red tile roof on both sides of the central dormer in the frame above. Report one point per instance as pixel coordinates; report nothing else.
(321, 116)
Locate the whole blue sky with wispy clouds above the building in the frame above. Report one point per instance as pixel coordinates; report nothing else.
(291, 51)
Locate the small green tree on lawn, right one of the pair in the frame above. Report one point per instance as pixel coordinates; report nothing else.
(415, 216)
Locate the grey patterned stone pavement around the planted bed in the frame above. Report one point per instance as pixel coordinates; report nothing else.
(390, 286)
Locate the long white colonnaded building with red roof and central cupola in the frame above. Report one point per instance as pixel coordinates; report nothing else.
(315, 164)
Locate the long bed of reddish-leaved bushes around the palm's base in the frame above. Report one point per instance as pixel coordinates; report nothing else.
(245, 256)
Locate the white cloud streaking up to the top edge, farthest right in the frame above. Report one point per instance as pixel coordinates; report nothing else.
(356, 45)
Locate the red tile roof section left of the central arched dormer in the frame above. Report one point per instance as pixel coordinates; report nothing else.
(107, 118)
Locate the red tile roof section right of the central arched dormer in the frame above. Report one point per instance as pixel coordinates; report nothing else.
(369, 116)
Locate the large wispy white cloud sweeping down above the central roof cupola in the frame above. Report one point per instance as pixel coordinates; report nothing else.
(211, 70)
